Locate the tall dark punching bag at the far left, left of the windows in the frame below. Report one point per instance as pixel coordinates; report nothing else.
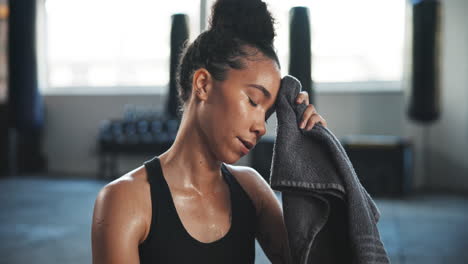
(25, 102)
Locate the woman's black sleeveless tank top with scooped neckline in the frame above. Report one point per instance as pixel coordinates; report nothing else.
(168, 242)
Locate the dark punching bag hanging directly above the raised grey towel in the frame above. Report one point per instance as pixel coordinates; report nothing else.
(299, 48)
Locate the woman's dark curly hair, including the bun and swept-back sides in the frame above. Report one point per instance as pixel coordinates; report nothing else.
(236, 26)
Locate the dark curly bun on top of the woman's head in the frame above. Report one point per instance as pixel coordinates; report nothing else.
(248, 20)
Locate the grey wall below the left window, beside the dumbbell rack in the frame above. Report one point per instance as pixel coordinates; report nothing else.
(71, 128)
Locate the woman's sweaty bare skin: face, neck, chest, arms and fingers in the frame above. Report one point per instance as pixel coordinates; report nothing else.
(215, 119)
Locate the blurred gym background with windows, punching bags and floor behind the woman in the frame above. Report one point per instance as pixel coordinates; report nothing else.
(87, 94)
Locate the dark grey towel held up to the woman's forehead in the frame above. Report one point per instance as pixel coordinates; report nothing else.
(325, 207)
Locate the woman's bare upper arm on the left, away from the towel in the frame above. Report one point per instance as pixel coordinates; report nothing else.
(117, 225)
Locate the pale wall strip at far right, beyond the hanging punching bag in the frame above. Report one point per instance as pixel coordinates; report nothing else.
(448, 138)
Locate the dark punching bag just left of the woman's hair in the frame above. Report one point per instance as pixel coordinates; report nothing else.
(179, 35)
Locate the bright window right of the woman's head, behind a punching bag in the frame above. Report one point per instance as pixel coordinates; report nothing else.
(352, 41)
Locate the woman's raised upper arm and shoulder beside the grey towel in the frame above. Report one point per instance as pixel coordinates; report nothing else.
(271, 231)
